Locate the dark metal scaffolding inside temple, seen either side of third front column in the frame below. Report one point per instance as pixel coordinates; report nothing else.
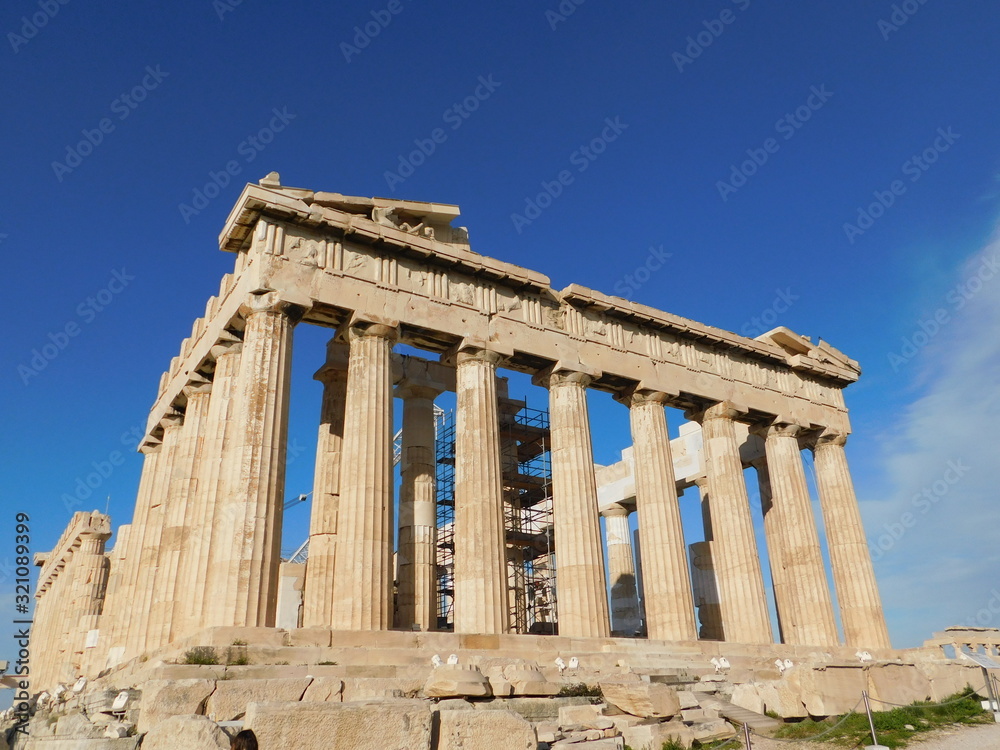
(527, 479)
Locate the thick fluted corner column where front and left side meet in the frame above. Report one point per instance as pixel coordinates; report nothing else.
(260, 426)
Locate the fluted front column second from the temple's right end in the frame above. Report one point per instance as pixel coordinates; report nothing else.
(807, 614)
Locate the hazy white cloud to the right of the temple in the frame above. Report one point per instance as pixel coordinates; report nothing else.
(934, 538)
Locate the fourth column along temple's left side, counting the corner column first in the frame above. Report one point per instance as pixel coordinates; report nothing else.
(141, 627)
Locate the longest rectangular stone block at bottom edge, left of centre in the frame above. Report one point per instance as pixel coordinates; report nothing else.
(385, 725)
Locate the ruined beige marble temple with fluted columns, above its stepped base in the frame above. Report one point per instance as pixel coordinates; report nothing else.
(203, 548)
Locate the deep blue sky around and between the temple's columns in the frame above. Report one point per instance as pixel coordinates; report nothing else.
(736, 137)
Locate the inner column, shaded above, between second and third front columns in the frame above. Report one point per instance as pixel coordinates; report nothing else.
(417, 552)
